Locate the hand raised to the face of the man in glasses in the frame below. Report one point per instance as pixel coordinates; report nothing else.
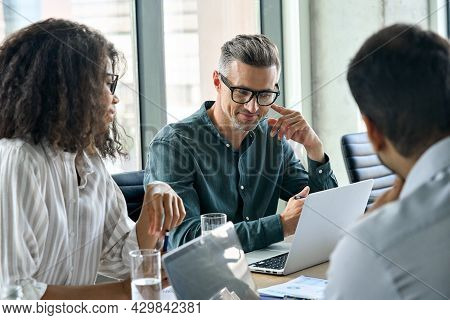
(293, 126)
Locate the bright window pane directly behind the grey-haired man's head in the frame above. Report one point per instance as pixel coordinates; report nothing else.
(194, 31)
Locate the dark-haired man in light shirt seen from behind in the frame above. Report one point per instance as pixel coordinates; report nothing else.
(400, 79)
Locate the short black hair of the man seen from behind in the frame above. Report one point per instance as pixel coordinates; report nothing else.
(400, 79)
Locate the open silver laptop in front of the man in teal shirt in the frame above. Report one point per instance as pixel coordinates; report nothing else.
(325, 217)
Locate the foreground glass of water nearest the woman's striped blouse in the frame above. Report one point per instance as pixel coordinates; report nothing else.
(145, 274)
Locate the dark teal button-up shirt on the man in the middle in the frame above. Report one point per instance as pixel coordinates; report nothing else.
(204, 170)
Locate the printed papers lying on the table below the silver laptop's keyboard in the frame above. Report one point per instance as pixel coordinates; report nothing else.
(300, 288)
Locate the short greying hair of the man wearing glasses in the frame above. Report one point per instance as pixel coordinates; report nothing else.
(255, 50)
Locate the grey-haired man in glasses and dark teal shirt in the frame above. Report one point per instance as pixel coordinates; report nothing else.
(228, 157)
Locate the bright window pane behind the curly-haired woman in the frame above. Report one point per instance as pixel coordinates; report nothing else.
(114, 18)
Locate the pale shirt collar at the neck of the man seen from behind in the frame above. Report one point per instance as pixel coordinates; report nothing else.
(435, 159)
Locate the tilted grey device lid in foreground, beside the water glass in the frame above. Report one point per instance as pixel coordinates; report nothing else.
(203, 267)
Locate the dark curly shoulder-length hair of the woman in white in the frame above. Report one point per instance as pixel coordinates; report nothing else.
(52, 81)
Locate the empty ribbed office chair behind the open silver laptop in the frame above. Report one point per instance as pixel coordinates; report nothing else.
(362, 163)
